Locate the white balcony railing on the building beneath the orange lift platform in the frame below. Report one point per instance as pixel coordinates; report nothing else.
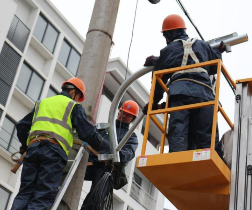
(142, 197)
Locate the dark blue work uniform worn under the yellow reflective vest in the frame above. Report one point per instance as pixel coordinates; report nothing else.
(44, 162)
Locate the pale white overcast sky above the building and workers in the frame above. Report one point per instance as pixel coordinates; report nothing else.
(213, 18)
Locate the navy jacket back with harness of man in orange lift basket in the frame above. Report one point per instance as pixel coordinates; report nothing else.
(174, 55)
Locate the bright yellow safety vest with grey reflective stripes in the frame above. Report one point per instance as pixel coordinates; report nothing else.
(52, 118)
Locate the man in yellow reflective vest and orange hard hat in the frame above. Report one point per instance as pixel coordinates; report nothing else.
(46, 135)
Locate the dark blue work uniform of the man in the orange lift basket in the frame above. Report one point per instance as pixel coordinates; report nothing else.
(188, 129)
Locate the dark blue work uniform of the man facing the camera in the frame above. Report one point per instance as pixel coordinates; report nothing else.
(95, 172)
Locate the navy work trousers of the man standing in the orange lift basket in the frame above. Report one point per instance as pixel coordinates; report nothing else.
(190, 129)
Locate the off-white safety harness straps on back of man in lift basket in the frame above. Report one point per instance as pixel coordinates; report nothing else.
(188, 51)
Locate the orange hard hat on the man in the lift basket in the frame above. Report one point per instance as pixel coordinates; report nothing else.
(173, 22)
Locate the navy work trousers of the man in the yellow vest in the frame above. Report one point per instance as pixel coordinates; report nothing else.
(40, 178)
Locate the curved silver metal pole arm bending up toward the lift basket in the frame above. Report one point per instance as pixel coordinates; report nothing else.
(112, 112)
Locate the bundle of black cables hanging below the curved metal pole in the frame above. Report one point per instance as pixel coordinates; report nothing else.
(103, 193)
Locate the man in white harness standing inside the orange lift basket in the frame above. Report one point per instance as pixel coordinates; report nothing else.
(188, 129)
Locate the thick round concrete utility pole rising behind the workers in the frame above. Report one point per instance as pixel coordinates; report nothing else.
(92, 70)
